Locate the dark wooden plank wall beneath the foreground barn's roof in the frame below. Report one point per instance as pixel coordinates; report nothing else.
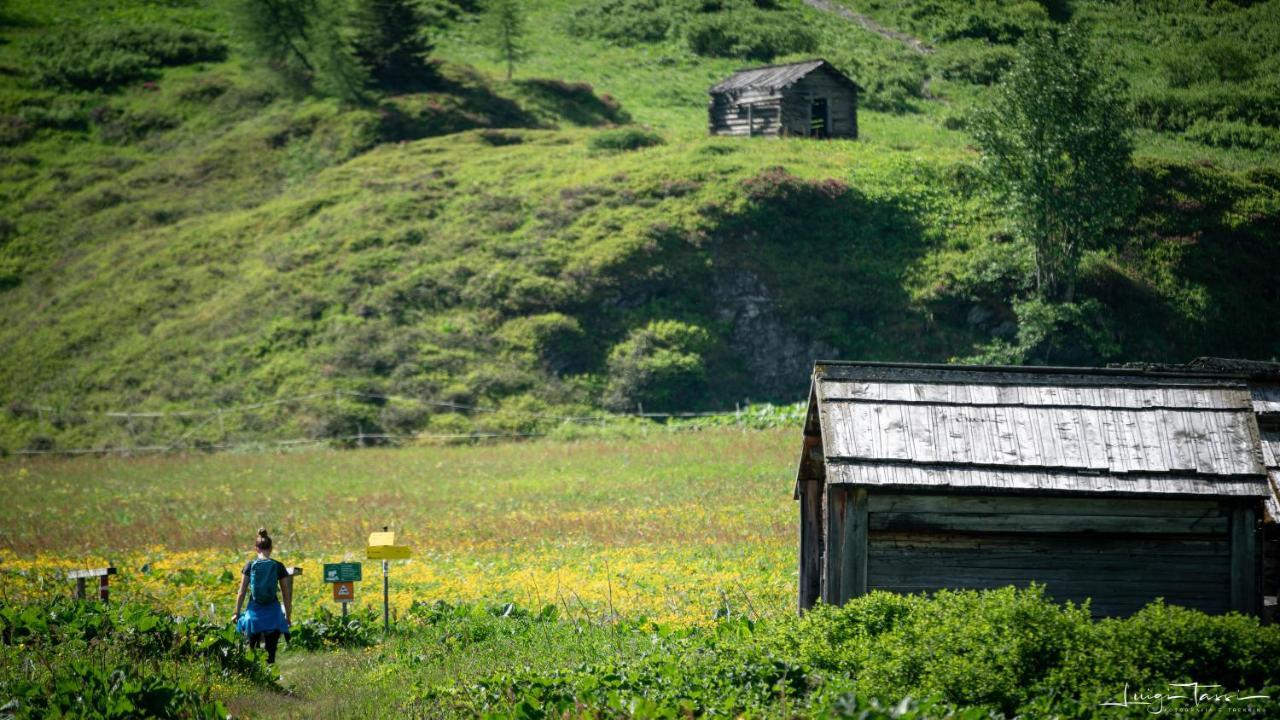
(1118, 552)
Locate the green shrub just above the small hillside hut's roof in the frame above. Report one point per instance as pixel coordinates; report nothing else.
(751, 35)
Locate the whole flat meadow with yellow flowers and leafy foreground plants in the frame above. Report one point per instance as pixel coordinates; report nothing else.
(641, 577)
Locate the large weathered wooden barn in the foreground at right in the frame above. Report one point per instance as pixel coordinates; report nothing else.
(1117, 486)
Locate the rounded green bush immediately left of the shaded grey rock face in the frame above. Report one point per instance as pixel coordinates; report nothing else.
(660, 366)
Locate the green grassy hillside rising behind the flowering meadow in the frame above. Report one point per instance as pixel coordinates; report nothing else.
(196, 236)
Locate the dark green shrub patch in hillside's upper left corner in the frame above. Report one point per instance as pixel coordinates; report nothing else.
(108, 57)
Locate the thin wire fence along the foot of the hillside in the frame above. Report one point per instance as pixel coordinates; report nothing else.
(207, 429)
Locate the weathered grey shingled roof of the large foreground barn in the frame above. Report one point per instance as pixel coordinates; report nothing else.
(1060, 430)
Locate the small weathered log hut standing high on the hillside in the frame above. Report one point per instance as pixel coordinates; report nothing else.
(810, 99)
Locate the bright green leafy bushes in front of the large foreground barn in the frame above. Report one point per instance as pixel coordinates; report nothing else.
(976, 655)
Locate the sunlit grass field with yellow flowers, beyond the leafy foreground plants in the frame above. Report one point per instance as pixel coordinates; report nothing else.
(673, 526)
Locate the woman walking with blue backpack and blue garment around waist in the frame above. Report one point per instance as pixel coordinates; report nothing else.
(263, 619)
